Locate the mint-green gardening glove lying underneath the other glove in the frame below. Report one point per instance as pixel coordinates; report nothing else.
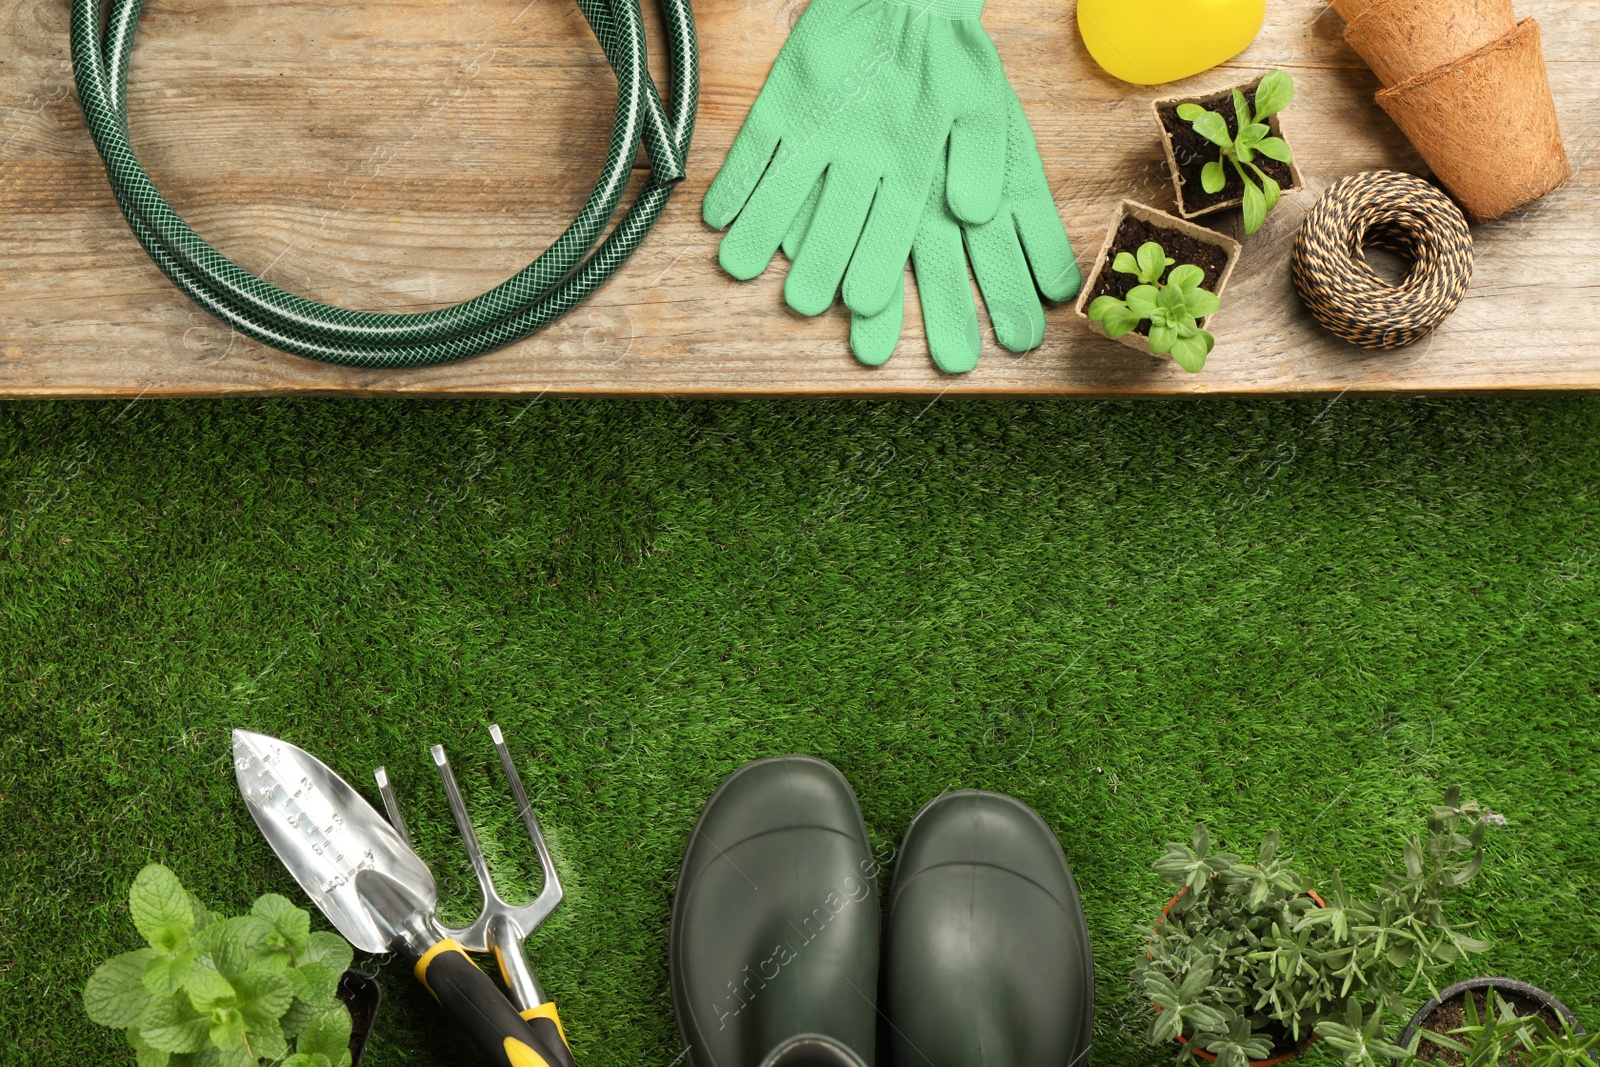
(1018, 255)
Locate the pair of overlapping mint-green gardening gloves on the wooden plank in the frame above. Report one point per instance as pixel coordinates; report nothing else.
(887, 134)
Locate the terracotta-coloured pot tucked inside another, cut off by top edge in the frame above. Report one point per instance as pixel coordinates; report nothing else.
(1404, 39)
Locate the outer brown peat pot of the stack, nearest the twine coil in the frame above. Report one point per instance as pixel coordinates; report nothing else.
(1487, 126)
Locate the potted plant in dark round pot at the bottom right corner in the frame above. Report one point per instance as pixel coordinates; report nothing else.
(1498, 1023)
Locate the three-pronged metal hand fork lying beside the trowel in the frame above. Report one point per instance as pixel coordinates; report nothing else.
(500, 929)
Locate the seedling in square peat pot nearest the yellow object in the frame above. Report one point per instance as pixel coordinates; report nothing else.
(1228, 150)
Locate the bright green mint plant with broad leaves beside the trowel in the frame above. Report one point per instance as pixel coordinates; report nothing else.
(223, 993)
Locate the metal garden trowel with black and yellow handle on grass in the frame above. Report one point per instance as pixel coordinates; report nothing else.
(375, 890)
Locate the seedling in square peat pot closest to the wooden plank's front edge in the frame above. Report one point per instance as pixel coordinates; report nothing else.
(1158, 284)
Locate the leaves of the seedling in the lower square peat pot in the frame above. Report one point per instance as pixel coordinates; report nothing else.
(1172, 310)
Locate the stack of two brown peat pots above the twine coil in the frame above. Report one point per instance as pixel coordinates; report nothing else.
(1466, 82)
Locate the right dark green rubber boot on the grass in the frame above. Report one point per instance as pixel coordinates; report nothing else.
(986, 954)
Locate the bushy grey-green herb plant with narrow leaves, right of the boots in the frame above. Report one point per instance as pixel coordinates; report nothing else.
(1246, 956)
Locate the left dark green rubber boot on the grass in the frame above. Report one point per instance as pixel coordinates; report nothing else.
(775, 924)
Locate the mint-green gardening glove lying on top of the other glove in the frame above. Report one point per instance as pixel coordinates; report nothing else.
(865, 98)
